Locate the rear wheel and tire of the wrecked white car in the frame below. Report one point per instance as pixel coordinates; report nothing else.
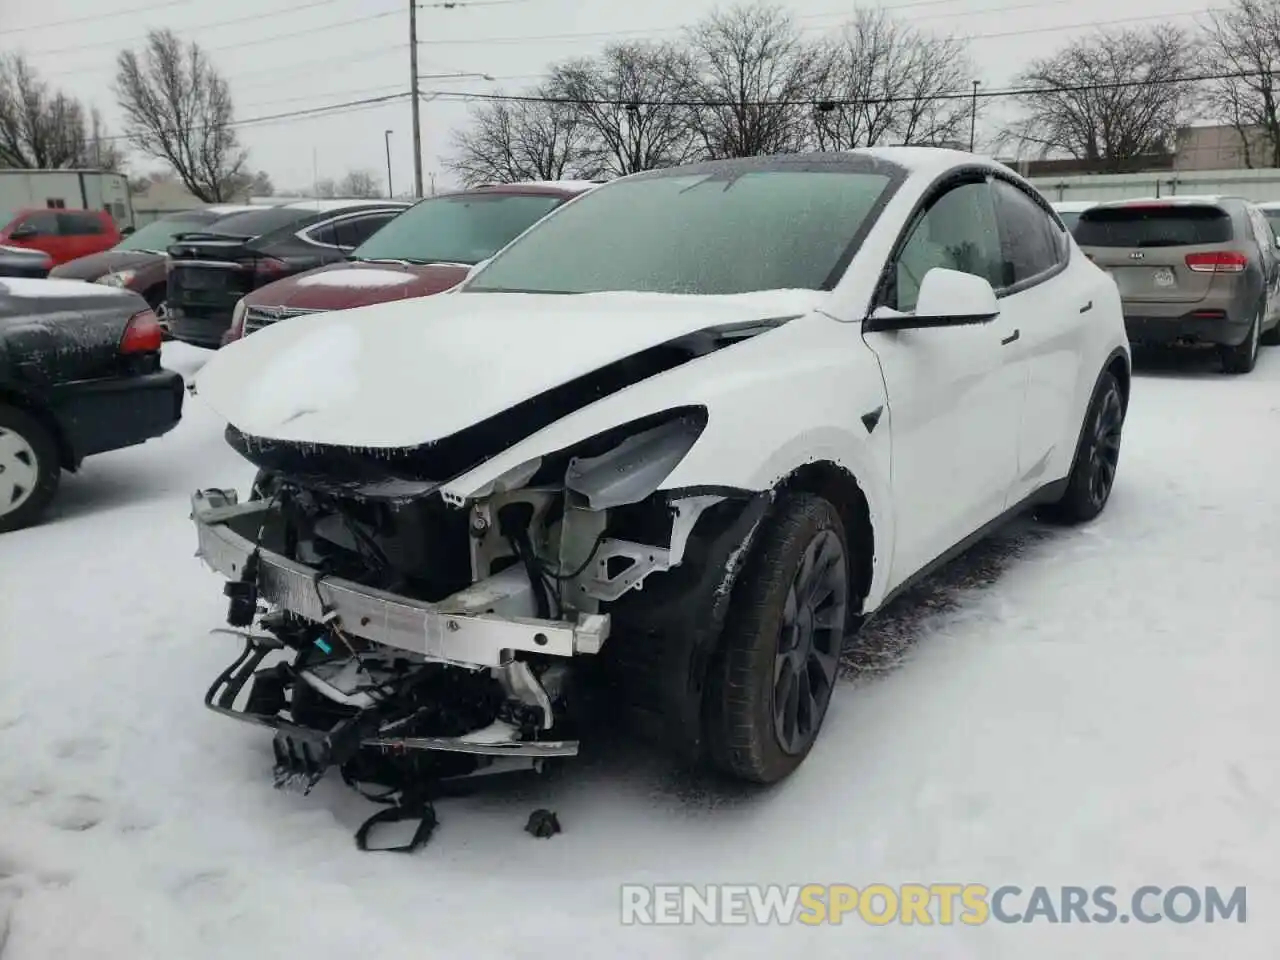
(1098, 456)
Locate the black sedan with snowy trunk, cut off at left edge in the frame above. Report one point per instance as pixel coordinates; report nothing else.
(80, 374)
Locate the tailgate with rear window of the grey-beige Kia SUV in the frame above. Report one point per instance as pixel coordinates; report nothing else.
(1158, 253)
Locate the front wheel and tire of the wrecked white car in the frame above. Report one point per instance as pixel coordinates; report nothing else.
(747, 738)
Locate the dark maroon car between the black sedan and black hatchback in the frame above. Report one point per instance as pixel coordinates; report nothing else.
(138, 263)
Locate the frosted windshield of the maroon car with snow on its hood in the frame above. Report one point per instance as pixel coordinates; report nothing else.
(461, 230)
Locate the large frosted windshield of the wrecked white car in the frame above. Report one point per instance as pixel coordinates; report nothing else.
(697, 234)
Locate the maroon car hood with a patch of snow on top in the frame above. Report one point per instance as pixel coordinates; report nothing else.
(345, 286)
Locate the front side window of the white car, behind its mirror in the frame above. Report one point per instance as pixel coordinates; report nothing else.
(958, 232)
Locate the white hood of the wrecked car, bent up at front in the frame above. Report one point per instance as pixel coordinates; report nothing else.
(412, 373)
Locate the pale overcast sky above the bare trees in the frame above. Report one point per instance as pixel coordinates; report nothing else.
(285, 56)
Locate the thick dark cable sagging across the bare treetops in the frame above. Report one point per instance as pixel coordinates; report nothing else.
(833, 103)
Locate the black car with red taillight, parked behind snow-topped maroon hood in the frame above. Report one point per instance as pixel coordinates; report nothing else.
(211, 272)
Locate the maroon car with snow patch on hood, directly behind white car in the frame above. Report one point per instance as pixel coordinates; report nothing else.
(426, 250)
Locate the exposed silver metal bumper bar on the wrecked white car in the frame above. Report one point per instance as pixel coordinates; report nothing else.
(456, 630)
